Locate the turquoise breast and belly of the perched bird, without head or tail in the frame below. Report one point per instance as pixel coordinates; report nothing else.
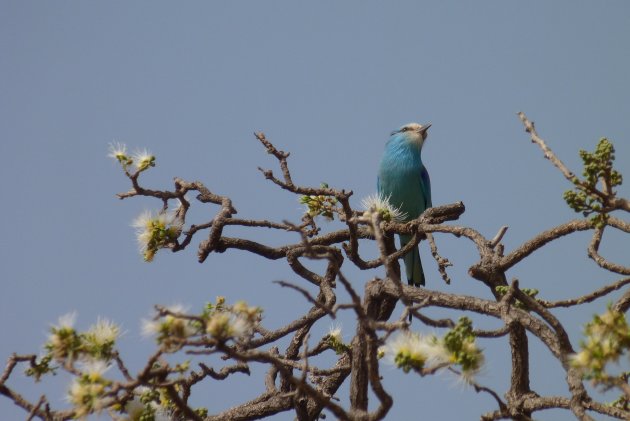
(400, 177)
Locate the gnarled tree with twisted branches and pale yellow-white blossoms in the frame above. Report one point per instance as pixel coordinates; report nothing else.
(294, 382)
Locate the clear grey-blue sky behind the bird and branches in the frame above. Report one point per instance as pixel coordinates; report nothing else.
(327, 81)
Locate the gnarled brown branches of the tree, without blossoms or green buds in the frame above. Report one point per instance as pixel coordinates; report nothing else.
(297, 381)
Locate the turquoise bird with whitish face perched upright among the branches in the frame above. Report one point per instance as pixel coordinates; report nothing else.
(403, 179)
